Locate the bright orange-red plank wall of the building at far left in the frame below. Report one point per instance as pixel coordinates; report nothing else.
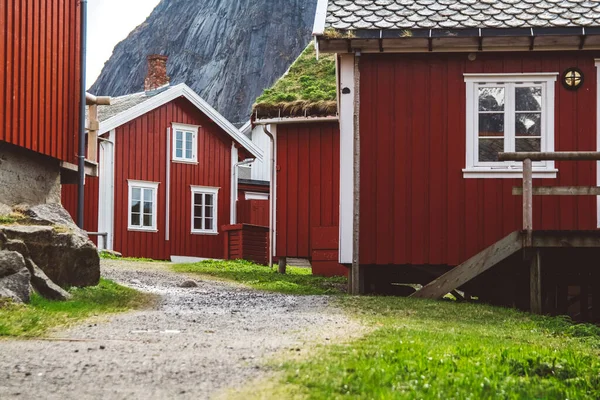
(39, 76)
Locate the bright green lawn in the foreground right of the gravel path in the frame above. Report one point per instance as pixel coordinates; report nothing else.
(443, 350)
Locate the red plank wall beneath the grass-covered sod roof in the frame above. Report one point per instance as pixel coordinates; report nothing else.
(308, 162)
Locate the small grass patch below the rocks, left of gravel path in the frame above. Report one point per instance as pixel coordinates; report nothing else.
(36, 318)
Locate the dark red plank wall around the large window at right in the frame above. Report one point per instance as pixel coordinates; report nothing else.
(416, 207)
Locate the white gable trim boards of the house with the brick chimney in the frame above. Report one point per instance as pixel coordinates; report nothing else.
(168, 95)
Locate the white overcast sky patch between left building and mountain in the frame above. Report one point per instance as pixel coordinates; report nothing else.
(109, 22)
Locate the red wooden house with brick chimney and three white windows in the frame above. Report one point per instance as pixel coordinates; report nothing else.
(166, 160)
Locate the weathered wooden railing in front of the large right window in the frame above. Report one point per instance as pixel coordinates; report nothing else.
(528, 191)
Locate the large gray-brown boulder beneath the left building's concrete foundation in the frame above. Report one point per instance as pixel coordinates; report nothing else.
(66, 256)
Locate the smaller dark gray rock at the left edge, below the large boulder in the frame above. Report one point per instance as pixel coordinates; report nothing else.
(14, 277)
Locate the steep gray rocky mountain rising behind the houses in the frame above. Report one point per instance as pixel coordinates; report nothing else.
(228, 51)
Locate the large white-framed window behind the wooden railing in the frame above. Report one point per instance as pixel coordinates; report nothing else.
(508, 113)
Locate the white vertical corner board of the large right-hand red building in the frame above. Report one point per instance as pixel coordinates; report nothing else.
(346, 104)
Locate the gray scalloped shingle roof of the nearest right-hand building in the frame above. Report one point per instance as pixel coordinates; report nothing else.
(457, 14)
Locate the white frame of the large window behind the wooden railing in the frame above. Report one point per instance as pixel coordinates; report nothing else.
(508, 169)
